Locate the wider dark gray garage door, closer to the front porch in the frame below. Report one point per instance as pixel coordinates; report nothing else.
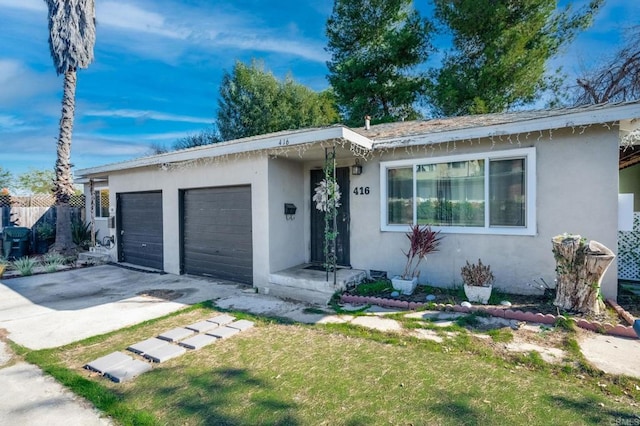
(216, 233)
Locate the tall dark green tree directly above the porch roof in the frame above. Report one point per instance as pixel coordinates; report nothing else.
(376, 47)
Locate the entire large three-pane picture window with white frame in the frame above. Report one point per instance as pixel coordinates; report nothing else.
(486, 193)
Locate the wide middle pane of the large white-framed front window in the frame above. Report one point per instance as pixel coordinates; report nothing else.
(451, 194)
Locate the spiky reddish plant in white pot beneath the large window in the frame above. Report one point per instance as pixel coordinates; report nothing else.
(422, 241)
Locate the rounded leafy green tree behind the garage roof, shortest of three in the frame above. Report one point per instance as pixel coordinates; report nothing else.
(252, 102)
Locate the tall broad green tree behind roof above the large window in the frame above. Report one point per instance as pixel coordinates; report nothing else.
(500, 52)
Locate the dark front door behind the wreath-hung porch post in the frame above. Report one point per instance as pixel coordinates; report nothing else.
(317, 220)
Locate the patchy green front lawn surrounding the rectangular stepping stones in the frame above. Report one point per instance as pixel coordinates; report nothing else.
(338, 374)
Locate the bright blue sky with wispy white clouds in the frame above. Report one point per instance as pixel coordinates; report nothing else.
(158, 65)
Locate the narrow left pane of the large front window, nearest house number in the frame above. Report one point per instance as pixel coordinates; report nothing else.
(400, 196)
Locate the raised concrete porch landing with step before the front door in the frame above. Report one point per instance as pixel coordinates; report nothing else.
(309, 285)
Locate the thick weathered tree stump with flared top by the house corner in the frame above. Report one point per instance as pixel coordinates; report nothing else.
(579, 269)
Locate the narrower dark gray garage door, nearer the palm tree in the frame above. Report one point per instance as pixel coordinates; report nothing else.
(139, 218)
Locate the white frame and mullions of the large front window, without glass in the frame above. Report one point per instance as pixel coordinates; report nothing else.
(529, 155)
